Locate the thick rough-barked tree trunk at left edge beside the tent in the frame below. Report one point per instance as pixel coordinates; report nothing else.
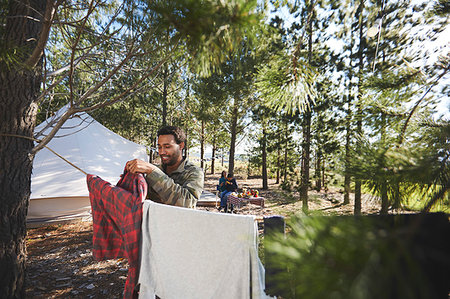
(19, 88)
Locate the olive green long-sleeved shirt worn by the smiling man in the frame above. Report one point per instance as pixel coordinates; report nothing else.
(180, 188)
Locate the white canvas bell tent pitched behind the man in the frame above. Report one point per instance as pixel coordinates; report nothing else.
(58, 190)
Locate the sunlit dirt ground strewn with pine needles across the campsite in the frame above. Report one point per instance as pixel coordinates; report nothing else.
(60, 262)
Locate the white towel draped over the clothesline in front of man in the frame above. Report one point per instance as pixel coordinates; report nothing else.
(188, 253)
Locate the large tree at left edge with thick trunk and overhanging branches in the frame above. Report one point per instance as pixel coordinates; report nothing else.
(24, 34)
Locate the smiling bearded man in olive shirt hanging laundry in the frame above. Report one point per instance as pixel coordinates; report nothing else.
(177, 181)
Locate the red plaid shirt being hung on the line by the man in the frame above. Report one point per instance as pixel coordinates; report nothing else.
(117, 218)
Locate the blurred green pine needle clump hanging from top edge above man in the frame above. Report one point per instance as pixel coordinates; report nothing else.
(212, 29)
